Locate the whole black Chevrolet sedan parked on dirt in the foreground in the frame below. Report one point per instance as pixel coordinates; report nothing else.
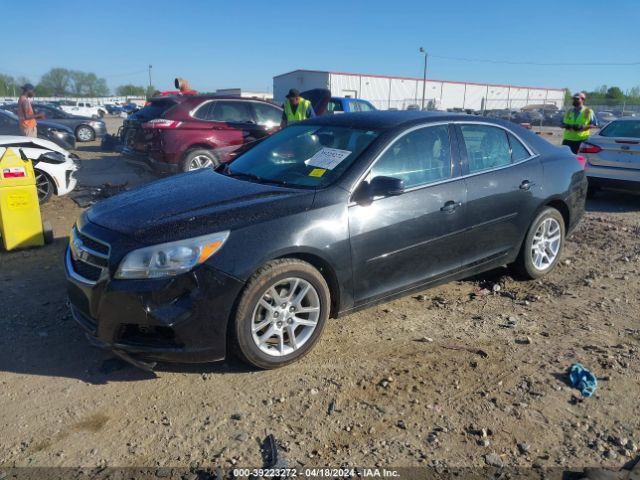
(325, 217)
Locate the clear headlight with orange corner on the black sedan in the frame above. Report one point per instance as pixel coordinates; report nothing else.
(170, 259)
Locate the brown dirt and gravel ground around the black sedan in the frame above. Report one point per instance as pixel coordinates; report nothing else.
(386, 386)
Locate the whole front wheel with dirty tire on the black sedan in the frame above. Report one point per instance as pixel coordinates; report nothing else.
(249, 333)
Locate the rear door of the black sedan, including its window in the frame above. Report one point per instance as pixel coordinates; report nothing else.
(502, 178)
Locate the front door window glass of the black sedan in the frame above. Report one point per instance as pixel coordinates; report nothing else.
(420, 157)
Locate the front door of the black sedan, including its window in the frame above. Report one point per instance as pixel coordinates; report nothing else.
(404, 240)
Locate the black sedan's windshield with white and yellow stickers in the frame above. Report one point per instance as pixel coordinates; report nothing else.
(308, 156)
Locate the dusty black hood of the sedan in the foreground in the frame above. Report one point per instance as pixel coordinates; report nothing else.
(195, 204)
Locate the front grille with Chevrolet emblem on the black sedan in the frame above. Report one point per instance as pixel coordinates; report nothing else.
(89, 258)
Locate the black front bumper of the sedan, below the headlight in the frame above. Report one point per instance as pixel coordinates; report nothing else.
(182, 319)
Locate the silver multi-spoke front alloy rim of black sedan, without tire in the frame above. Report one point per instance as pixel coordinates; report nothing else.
(285, 317)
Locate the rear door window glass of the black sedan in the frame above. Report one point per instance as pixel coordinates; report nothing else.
(487, 147)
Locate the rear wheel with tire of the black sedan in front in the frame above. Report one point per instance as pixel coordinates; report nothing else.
(545, 236)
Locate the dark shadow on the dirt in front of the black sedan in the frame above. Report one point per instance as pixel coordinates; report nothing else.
(38, 336)
